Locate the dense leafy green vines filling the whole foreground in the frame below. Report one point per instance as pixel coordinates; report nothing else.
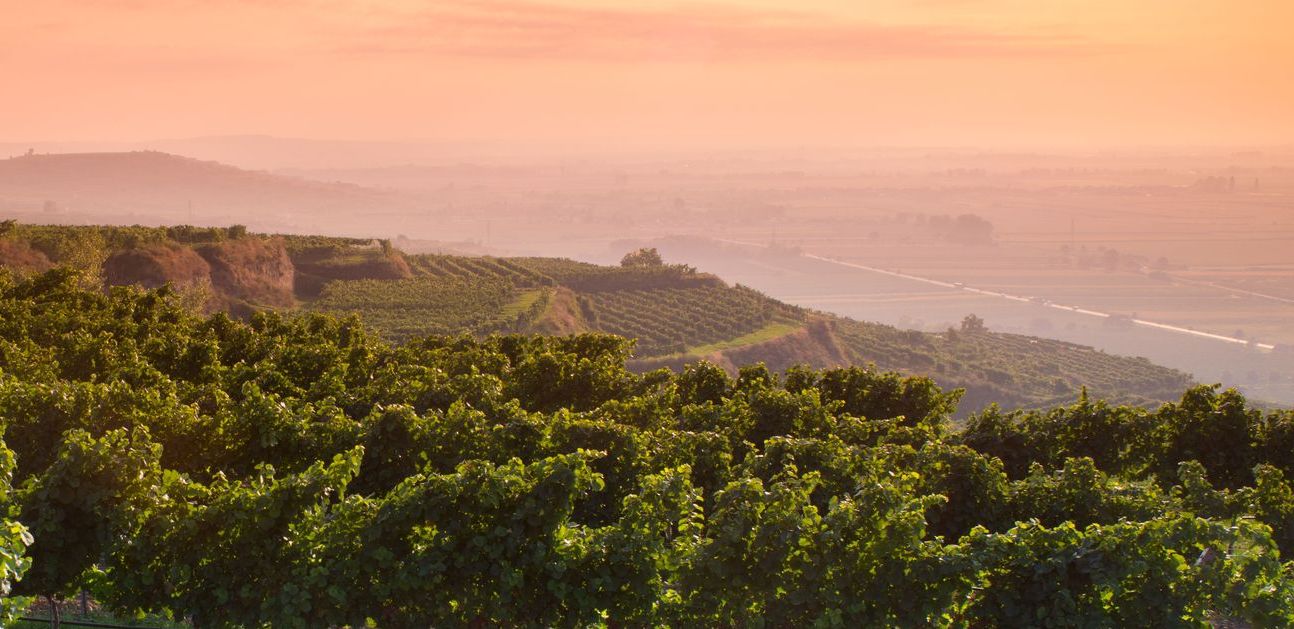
(300, 472)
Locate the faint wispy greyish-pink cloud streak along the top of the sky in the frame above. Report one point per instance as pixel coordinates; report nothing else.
(518, 29)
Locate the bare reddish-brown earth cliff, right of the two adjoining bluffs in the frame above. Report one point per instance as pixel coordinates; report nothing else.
(252, 271)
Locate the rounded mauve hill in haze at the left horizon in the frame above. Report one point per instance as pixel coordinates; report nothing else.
(160, 188)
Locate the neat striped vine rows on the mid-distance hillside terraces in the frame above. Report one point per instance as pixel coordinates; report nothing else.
(666, 310)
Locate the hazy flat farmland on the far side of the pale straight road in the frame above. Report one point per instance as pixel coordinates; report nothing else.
(1216, 262)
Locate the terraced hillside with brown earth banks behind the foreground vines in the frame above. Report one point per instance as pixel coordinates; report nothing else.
(676, 314)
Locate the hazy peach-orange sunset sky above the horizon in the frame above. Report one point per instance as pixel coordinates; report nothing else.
(653, 74)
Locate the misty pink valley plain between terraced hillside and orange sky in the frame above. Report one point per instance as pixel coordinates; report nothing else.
(1069, 247)
